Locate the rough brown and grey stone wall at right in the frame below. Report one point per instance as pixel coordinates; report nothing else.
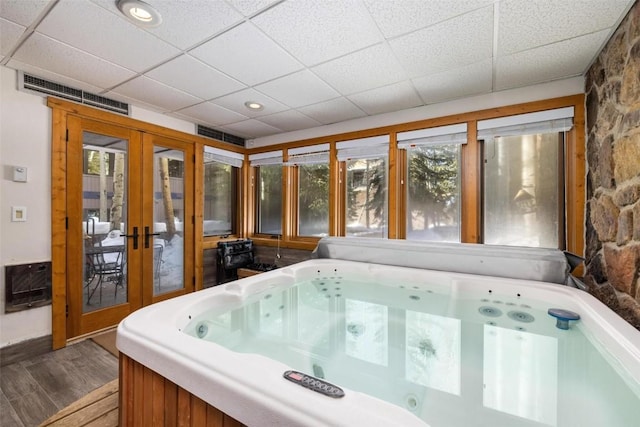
(613, 179)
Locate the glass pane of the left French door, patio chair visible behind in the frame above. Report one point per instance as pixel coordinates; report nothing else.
(104, 218)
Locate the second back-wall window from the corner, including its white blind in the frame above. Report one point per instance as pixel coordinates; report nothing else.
(312, 168)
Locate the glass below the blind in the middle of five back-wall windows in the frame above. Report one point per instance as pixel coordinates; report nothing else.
(366, 206)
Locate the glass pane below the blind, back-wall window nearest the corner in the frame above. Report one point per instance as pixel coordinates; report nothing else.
(269, 199)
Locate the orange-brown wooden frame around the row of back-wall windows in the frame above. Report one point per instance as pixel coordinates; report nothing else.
(470, 181)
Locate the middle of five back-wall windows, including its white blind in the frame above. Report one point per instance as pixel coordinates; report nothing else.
(366, 211)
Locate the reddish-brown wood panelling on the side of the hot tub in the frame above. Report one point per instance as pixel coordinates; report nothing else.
(147, 398)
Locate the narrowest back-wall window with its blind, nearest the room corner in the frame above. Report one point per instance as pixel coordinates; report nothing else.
(268, 192)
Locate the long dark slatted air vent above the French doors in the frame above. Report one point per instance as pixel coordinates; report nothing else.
(31, 83)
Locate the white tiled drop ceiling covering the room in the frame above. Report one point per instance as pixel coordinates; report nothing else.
(308, 62)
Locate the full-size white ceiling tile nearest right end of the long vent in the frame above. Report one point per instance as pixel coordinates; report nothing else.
(156, 93)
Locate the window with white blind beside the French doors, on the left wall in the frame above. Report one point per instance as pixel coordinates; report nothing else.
(221, 172)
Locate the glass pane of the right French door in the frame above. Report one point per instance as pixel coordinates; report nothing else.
(168, 219)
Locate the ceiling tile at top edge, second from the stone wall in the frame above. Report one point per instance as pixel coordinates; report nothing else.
(402, 17)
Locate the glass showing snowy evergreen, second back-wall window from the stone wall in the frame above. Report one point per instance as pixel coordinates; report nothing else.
(433, 199)
